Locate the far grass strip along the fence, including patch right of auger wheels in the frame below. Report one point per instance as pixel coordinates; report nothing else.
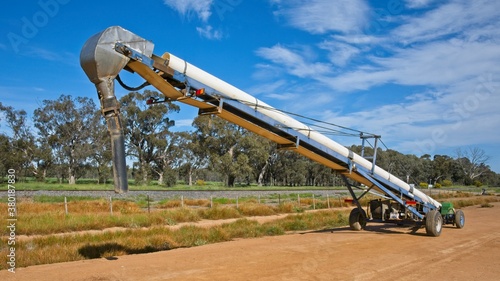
(47, 215)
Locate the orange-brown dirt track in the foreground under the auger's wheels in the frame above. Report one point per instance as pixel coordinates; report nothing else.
(381, 252)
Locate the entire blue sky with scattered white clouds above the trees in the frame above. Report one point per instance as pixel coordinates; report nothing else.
(424, 74)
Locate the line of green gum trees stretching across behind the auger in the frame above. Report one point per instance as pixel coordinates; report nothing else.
(67, 139)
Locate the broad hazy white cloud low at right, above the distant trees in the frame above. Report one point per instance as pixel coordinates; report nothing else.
(430, 123)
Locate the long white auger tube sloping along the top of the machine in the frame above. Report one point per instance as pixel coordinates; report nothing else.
(232, 92)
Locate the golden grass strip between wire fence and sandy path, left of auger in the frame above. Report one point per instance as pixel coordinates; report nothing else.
(41, 218)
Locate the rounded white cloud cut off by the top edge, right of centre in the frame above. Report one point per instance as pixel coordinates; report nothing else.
(321, 16)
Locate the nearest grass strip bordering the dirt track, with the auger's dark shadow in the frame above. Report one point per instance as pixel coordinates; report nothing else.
(52, 249)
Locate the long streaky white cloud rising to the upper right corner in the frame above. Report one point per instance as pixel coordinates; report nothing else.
(444, 54)
